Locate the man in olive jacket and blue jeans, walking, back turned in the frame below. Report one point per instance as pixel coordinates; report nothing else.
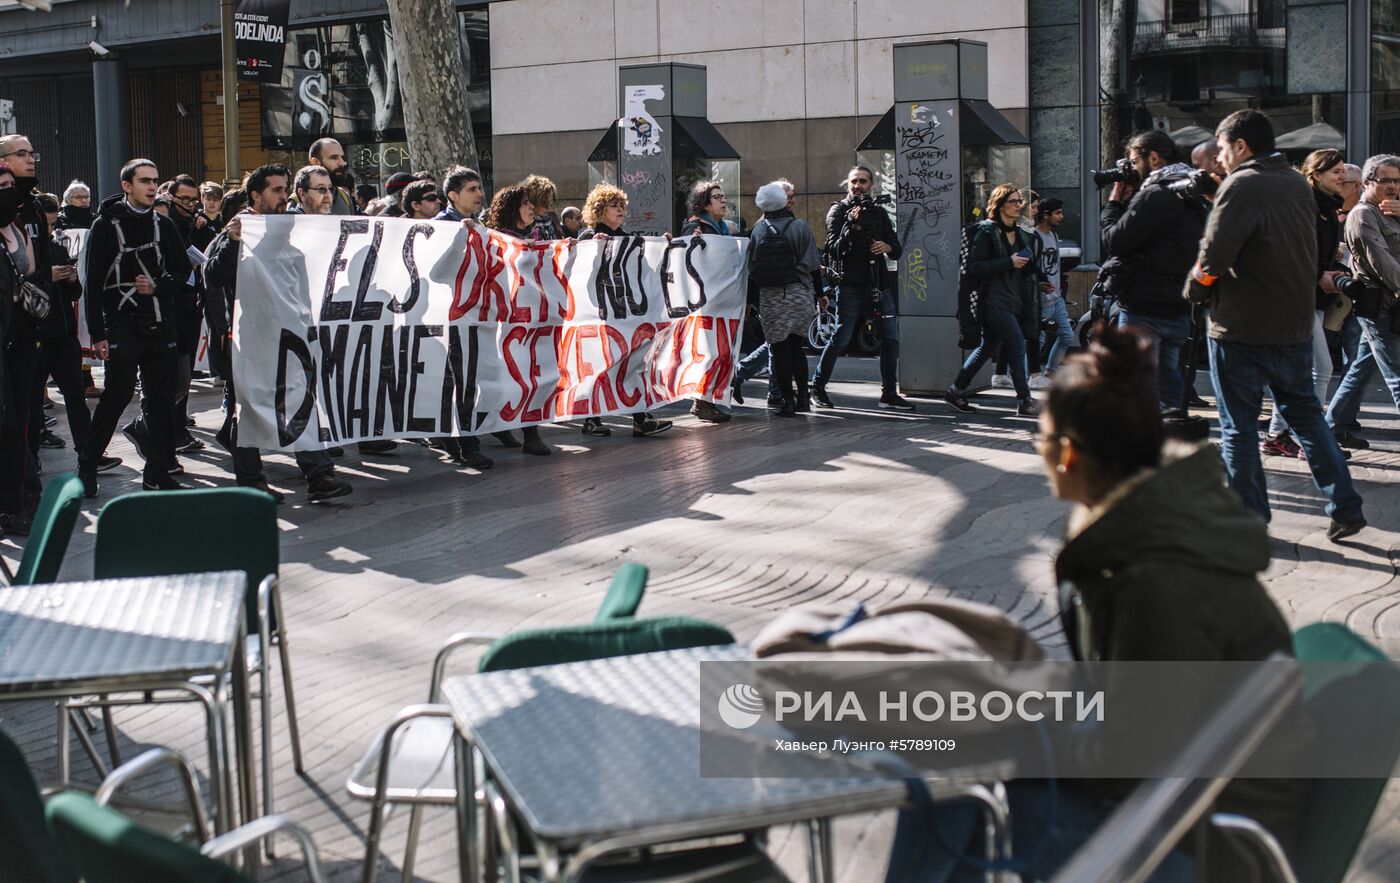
(1258, 269)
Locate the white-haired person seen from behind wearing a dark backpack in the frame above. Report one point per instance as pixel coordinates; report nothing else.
(787, 271)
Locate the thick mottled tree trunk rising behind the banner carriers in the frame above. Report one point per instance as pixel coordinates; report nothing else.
(433, 85)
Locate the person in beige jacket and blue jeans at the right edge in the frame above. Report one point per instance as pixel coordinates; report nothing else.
(1373, 236)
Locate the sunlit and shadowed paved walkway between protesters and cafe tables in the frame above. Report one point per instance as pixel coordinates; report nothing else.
(737, 523)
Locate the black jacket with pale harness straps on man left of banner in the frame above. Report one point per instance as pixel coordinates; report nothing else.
(110, 289)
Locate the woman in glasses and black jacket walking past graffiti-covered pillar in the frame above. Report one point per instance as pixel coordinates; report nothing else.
(1002, 258)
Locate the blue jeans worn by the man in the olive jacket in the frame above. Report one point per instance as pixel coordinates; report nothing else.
(1241, 373)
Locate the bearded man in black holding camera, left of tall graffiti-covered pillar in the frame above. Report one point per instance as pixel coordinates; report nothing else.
(859, 240)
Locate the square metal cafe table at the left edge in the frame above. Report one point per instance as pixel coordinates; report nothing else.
(138, 636)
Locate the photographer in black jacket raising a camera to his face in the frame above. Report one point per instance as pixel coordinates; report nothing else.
(1150, 236)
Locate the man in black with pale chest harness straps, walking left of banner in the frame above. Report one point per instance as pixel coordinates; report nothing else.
(138, 281)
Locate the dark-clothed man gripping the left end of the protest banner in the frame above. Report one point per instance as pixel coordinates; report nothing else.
(267, 190)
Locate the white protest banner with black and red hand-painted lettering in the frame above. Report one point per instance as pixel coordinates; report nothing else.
(351, 330)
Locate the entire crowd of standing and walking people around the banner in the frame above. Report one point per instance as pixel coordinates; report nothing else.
(163, 258)
